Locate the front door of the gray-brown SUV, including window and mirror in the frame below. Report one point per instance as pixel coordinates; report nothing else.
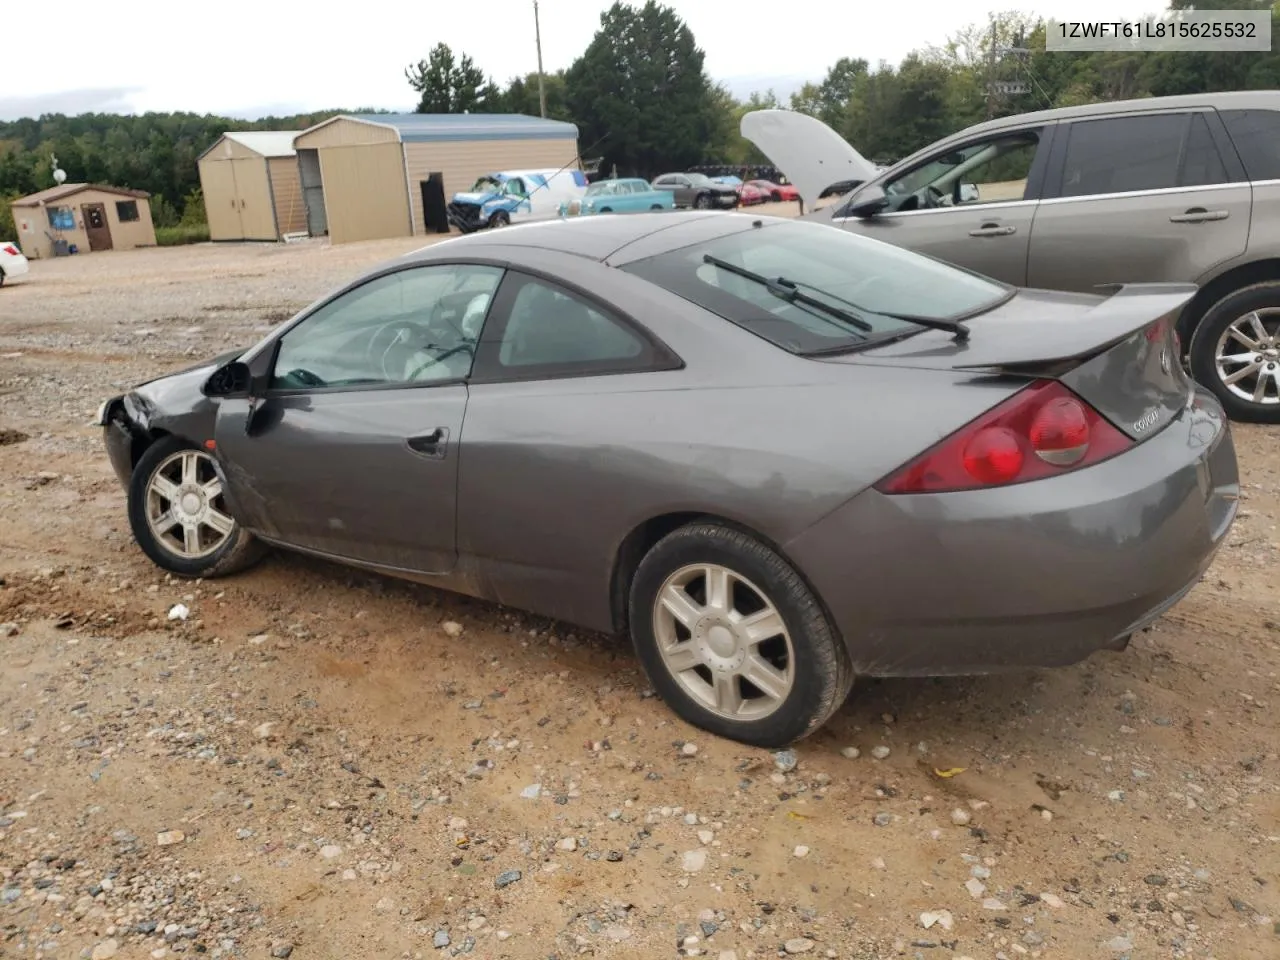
(971, 204)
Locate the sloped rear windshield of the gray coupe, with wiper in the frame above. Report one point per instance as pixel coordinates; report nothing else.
(868, 278)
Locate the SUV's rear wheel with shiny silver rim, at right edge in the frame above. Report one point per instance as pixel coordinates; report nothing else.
(1236, 353)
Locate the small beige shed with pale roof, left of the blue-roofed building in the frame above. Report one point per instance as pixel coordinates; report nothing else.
(253, 193)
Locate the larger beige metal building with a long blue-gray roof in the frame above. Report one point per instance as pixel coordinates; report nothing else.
(376, 176)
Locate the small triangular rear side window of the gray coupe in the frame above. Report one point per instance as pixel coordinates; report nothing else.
(552, 331)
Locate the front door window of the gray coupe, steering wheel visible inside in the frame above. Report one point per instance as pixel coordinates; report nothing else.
(413, 327)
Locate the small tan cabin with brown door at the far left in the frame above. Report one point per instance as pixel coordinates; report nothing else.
(85, 217)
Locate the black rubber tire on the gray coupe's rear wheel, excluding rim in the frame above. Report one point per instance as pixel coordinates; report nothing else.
(822, 670)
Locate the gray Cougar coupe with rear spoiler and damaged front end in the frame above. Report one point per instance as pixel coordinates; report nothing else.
(776, 455)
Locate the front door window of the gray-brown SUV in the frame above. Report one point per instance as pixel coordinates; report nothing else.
(986, 172)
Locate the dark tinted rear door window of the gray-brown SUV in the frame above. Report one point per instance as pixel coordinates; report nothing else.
(1158, 152)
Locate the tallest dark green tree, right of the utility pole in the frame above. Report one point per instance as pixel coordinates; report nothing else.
(641, 92)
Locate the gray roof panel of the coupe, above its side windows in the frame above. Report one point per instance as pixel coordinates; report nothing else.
(598, 237)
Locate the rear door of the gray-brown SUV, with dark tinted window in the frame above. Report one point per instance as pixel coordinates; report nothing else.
(1149, 196)
